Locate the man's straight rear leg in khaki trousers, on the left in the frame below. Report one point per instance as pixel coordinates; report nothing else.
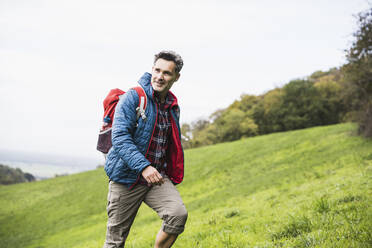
(122, 208)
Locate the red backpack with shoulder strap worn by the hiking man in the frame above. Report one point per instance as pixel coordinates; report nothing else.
(109, 103)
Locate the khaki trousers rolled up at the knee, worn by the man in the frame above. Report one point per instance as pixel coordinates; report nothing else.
(123, 204)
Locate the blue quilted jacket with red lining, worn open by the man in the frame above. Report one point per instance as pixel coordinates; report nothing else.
(127, 156)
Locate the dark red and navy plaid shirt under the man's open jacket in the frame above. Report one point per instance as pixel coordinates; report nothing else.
(159, 143)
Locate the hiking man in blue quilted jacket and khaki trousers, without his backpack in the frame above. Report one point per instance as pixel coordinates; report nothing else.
(146, 159)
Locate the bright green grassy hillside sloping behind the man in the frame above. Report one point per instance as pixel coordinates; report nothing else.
(306, 188)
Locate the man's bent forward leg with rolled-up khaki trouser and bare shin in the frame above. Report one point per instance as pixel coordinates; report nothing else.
(166, 201)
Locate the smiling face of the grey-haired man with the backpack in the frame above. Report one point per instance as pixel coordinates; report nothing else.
(163, 76)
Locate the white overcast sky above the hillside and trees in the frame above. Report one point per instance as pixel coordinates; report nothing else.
(59, 59)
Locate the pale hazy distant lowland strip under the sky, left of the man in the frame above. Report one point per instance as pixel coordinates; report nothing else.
(45, 165)
